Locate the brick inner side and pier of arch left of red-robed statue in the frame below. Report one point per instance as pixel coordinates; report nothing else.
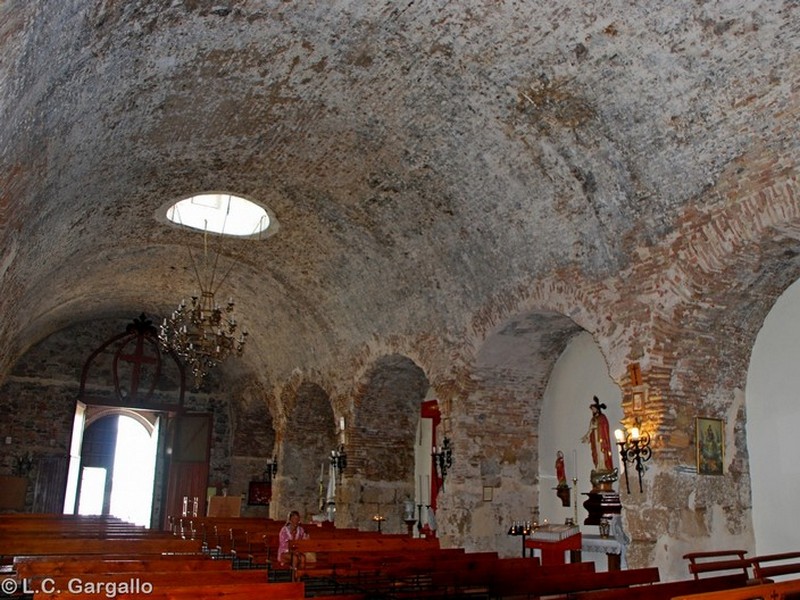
(498, 450)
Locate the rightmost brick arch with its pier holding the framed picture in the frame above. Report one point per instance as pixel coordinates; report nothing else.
(697, 304)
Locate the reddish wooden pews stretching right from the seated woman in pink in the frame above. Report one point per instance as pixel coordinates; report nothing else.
(403, 567)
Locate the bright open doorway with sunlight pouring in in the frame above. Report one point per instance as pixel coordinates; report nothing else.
(118, 458)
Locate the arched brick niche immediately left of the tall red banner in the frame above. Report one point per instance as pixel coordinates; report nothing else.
(380, 442)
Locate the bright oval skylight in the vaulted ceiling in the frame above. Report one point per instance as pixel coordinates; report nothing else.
(220, 213)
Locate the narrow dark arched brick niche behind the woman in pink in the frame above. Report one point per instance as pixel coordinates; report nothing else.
(308, 436)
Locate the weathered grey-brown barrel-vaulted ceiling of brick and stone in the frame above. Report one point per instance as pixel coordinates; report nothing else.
(422, 158)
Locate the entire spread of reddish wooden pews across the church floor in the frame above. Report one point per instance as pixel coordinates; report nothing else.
(54, 556)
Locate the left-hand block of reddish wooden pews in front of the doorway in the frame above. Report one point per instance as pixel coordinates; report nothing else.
(46, 557)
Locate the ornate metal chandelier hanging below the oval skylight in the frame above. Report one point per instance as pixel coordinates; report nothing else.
(203, 333)
